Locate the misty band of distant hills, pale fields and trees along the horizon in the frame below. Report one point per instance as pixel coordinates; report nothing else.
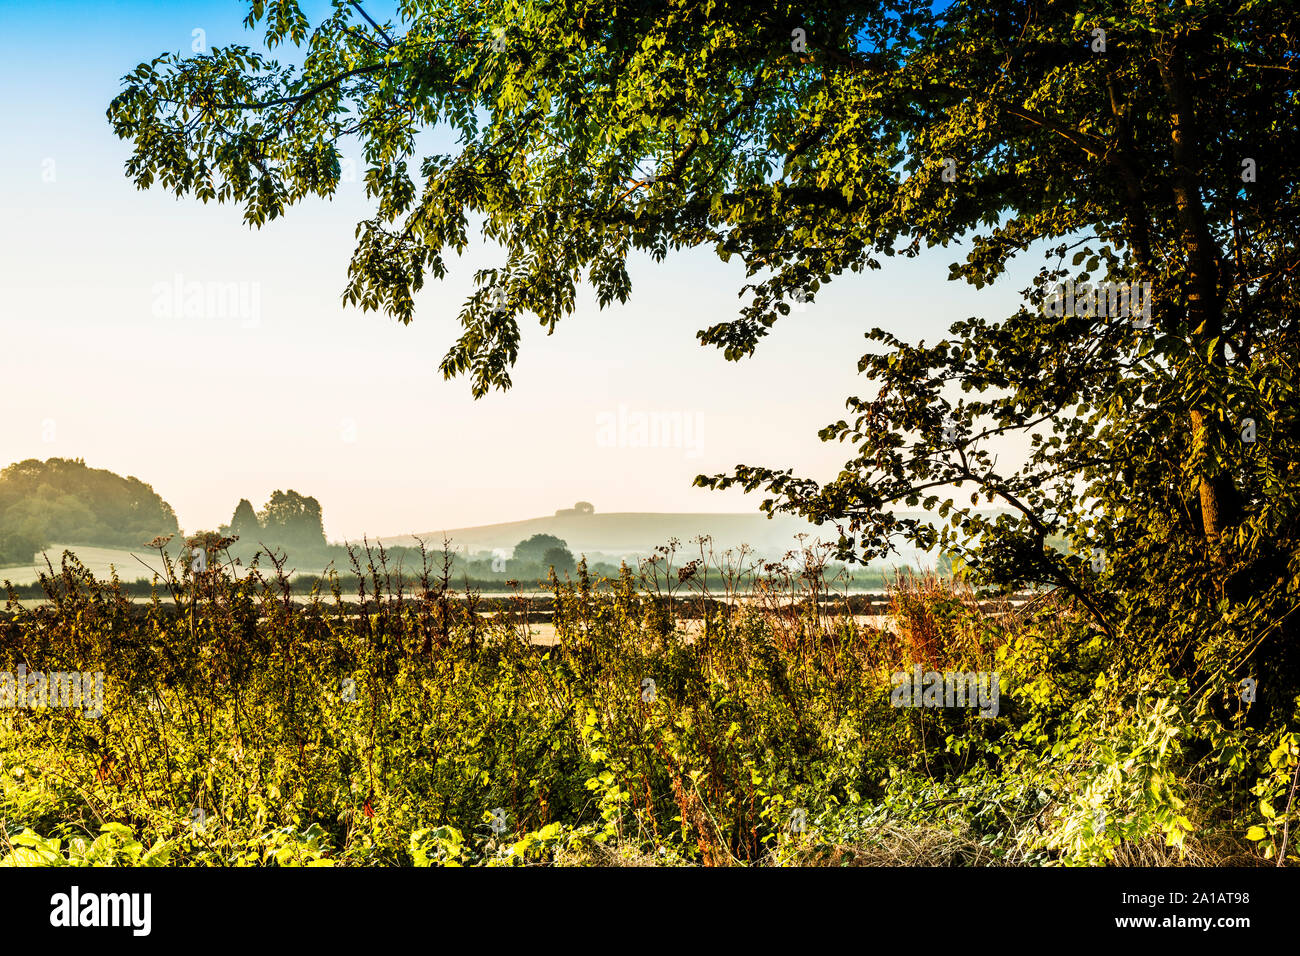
(66, 507)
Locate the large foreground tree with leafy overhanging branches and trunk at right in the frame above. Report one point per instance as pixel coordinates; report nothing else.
(1143, 142)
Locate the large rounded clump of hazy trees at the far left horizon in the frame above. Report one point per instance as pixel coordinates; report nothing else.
(64, 501)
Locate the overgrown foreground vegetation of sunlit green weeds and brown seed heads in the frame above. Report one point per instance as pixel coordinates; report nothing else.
(239, 726)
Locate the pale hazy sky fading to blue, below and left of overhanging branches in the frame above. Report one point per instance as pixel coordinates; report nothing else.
(294, 391)
